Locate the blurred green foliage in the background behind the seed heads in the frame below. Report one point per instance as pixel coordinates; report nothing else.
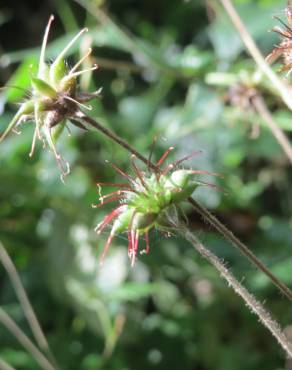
(166, 68)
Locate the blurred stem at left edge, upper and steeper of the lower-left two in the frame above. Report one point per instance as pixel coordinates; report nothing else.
(24, 301)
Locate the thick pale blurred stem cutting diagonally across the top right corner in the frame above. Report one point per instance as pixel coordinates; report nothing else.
(256, 54)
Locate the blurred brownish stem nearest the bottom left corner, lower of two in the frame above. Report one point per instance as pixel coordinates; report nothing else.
(13, 328)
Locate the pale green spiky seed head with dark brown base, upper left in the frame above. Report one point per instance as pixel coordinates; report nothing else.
(55, 99)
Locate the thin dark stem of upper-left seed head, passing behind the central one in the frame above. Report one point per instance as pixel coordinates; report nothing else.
(206, 215)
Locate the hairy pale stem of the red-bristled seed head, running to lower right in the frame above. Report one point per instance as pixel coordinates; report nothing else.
(256, 307)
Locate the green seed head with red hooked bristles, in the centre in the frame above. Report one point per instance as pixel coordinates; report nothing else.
(149, 200)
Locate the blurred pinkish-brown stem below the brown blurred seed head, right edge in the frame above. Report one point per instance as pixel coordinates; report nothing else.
(262, 109)
